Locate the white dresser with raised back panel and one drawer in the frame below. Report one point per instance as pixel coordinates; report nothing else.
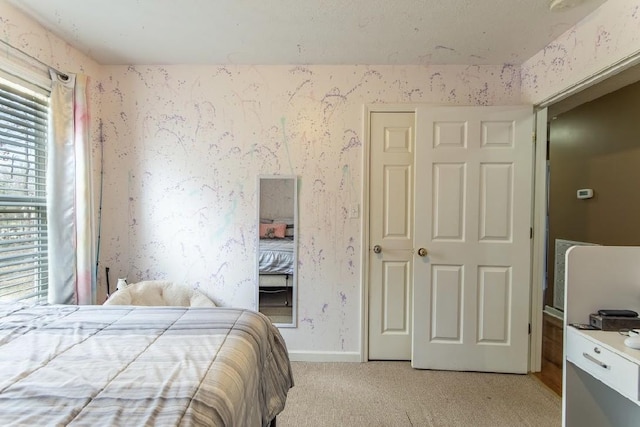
(601, 376)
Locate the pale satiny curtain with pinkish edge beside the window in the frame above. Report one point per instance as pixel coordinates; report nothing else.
(70, 214)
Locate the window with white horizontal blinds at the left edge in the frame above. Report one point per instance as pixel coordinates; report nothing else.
(23, 204)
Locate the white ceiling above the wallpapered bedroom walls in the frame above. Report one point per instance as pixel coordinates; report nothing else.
(332, 32)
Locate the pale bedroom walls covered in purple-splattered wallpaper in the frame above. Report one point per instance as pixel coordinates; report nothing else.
(183, 146)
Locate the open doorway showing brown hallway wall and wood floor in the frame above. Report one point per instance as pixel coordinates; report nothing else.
(593, 144)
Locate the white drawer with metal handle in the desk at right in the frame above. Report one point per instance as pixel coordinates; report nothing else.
(612, 369)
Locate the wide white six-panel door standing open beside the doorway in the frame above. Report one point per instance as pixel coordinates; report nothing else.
(473, 214)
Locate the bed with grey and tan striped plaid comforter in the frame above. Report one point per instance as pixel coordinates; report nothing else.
(125, 365)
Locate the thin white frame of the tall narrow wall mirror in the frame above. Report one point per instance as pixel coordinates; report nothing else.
(294, 282)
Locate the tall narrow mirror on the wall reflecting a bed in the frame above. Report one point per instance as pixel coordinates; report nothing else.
(277, 248)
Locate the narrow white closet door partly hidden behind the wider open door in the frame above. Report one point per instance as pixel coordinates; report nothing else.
(392, 142)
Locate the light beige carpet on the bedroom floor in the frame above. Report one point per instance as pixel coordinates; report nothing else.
(394, 394)
